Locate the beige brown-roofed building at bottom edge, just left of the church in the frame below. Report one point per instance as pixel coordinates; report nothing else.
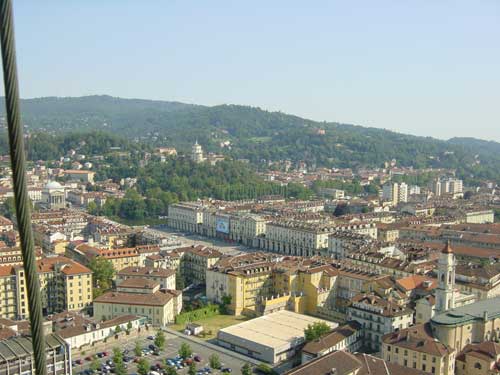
(416, 348)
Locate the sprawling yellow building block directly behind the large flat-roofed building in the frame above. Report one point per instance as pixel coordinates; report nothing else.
(262, 283)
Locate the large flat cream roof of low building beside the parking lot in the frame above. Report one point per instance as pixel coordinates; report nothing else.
(276, 330)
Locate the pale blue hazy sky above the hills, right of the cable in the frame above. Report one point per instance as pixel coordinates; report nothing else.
(422, 67)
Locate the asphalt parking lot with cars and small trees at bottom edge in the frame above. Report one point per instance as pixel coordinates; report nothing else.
(170, 351)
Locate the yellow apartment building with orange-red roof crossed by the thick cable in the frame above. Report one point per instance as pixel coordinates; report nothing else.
(64, 283)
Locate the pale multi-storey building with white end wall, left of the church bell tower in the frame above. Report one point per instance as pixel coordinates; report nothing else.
(378, 317)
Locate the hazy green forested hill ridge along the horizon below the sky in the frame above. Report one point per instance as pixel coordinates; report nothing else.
(258, 135)
